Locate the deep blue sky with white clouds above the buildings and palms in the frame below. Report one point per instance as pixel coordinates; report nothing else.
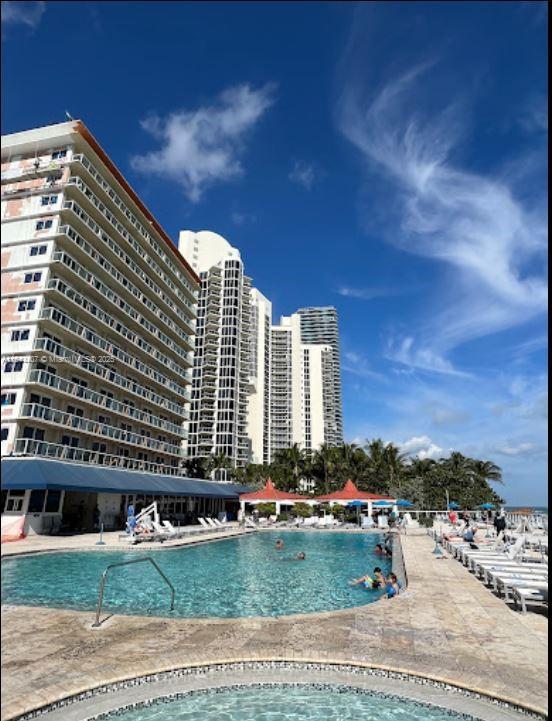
(385, 158)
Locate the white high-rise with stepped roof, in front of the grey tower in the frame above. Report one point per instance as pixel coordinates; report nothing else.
(301, 389)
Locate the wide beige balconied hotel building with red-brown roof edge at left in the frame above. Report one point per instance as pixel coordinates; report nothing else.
(98, 310)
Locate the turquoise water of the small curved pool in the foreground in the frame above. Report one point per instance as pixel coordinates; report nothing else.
(283, 703)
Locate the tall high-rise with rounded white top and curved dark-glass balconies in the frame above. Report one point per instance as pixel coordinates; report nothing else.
(222, 375)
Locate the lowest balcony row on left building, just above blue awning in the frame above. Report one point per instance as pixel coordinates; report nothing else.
(30, 447)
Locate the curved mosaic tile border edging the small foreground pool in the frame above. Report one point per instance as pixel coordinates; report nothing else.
(252, 666)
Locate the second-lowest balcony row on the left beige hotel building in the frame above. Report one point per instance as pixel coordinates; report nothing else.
(69, 421)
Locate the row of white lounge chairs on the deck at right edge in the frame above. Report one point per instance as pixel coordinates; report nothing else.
(507, 568)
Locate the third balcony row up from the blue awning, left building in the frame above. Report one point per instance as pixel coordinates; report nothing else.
(99, 400)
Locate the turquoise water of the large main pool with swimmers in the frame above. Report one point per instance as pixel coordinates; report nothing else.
(243, 576)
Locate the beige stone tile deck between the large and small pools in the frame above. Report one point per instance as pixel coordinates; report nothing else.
(448, 626)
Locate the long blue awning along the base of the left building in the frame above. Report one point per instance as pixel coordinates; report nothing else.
(45, 474)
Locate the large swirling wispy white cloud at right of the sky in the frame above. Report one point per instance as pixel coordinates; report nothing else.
(489, 240)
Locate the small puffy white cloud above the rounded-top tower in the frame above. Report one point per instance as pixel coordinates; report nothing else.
(201, 147)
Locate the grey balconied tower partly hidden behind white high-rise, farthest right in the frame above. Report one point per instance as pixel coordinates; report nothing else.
(320, 325)
